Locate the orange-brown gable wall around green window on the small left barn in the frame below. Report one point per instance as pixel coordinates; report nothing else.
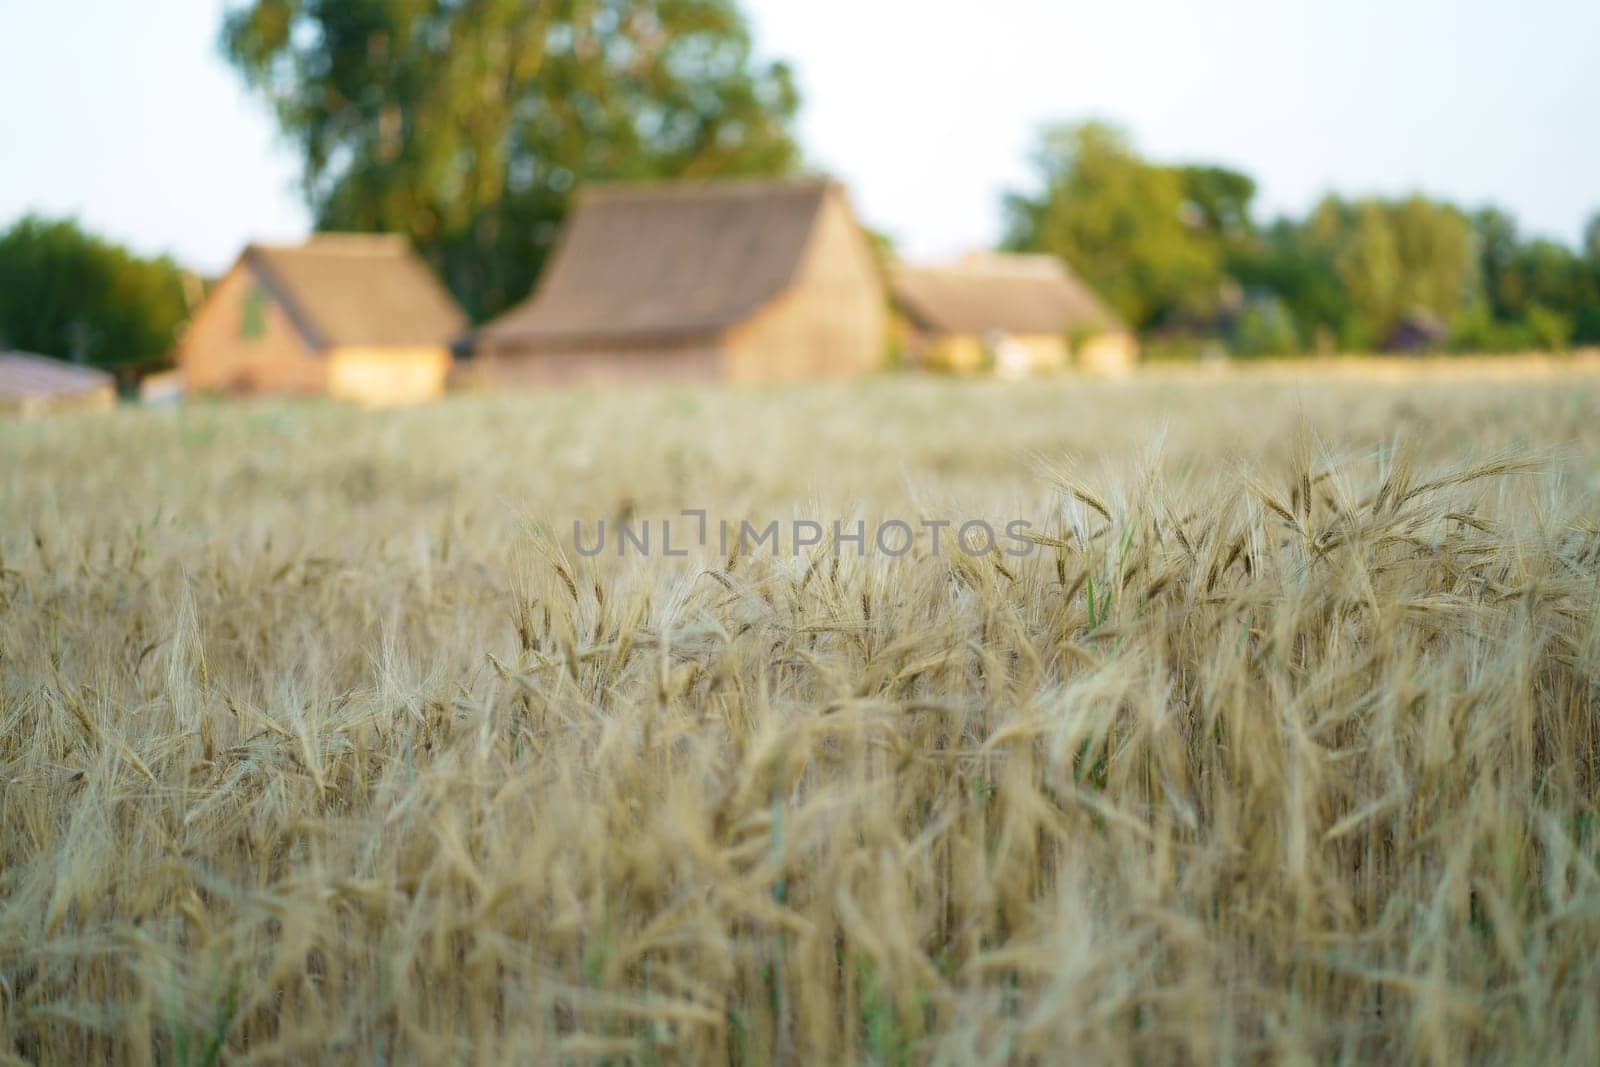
(217, 356)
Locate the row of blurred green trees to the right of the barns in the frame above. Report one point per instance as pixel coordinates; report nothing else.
(1178, 252)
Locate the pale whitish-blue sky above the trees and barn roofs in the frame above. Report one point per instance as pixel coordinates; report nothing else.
(124, 114)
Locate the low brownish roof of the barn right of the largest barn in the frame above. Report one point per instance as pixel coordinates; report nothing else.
(1018, 295)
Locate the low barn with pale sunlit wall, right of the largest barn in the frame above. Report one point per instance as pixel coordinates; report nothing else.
(1015, 316)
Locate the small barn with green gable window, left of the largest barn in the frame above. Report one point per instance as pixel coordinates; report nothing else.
(354, 316)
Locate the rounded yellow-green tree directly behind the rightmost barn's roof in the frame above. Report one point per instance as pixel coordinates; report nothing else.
(1127, 226)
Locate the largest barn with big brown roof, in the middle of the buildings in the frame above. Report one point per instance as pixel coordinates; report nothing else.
(748, 281)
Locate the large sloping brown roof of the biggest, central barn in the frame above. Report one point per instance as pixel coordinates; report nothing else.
(668, 260)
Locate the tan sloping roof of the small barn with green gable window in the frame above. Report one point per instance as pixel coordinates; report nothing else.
(359, 290)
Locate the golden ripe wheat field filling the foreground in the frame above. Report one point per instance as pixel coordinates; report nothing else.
(322, 738)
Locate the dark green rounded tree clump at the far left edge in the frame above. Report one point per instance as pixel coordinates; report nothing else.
(71, 295)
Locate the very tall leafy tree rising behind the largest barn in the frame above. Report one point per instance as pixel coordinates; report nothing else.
(466, 124)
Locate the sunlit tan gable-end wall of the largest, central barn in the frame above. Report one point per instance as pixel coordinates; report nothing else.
(831, 322)
